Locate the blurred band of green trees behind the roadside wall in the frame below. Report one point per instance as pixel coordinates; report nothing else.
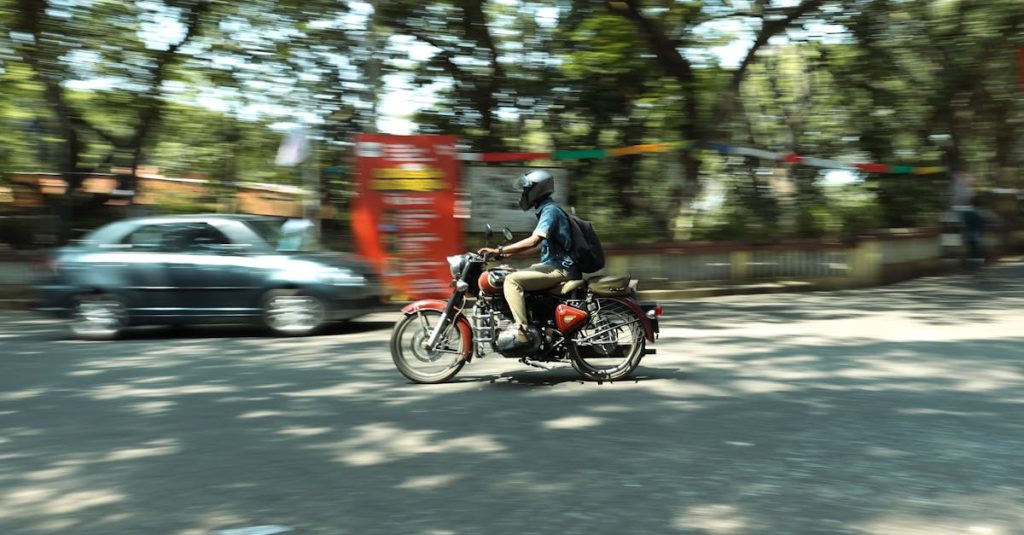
(196, 88)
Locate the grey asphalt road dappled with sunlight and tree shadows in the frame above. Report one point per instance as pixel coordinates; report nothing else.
(897, 410)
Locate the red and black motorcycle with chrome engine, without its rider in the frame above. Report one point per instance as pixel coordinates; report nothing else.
(598, 325)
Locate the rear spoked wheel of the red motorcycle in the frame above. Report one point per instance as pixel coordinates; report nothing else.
(611, 346)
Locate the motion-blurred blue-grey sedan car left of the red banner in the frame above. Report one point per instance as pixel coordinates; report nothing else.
(205, 269)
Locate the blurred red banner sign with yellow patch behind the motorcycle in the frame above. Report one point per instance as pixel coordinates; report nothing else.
(404, 217)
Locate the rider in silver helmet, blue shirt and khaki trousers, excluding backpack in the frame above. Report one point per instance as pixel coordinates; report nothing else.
(552, 237)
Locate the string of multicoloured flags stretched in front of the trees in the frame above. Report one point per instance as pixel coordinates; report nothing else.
(789, 158)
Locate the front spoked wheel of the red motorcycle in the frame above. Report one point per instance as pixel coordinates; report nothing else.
(412, 357)
